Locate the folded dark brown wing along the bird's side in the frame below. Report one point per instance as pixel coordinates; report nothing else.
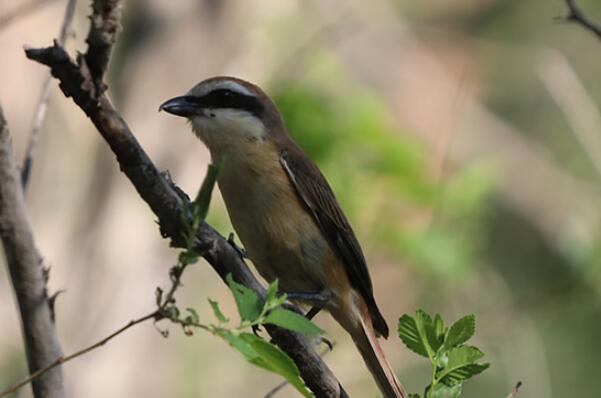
(315, 192)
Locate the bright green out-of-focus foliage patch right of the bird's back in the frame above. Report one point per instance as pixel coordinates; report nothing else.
(381, 174)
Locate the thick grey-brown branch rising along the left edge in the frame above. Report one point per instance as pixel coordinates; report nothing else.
(27, 275)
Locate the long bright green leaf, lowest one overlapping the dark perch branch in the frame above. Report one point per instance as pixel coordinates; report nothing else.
(275, 360)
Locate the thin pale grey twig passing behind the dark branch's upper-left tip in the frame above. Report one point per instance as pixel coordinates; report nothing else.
(42, 105)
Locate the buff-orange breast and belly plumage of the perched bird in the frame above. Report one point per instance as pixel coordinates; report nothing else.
(278, 233)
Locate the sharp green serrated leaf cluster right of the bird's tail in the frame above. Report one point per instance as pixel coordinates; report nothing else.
(452, 360)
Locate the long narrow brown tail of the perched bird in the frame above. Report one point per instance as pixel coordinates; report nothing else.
(362, 332)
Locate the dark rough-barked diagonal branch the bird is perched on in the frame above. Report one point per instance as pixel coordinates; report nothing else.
(82, 80)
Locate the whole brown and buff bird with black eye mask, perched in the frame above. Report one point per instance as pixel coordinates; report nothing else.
(285, 212)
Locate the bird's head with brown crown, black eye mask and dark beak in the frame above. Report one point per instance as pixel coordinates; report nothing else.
(227, 112)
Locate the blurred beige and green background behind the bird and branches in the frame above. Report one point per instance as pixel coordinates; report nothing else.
(462, 138)
